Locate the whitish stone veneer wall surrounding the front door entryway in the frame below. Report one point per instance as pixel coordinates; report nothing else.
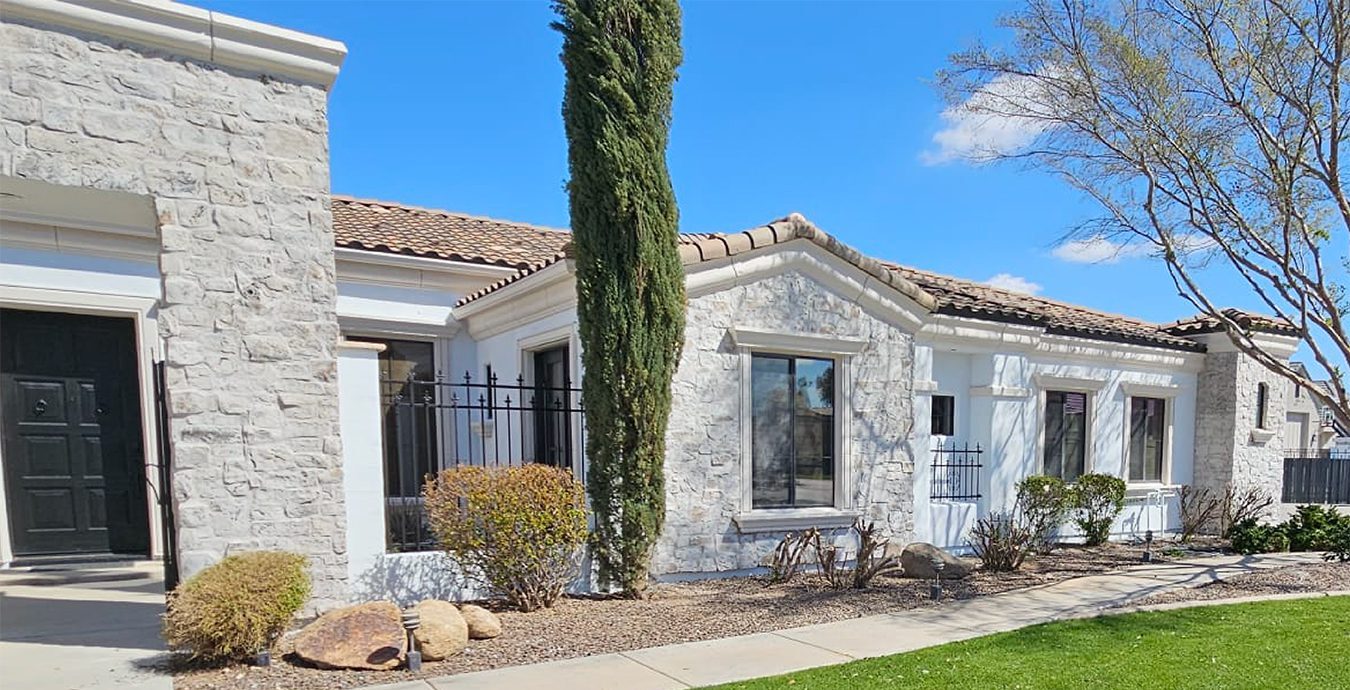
(238, 165)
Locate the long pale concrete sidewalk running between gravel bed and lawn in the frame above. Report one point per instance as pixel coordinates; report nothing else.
(695, 665)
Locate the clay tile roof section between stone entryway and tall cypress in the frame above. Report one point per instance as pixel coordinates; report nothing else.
(398, 229)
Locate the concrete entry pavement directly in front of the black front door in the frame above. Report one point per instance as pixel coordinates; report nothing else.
(83, 635)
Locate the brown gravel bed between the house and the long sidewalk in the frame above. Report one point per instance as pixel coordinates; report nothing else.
(673, 614)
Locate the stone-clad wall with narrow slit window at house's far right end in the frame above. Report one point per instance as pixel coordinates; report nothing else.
(1226, 415)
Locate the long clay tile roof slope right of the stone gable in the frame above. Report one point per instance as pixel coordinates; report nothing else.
(975, 300)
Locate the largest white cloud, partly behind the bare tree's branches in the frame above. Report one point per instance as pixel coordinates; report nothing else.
(988, 126)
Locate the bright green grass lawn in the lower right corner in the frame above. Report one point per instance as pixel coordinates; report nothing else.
(1286, 645)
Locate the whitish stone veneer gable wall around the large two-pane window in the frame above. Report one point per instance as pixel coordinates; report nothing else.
(704, 442)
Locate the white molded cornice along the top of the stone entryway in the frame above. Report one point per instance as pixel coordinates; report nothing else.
(194, 33)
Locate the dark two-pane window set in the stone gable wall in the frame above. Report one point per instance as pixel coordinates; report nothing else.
(792, 431)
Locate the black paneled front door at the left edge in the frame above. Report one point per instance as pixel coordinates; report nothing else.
(71, 425)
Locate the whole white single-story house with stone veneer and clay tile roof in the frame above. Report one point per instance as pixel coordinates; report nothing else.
(165, 199)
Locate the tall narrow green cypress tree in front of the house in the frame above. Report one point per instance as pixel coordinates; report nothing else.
(622, 59)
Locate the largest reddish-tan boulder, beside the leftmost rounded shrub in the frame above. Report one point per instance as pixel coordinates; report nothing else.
(362, 637)
